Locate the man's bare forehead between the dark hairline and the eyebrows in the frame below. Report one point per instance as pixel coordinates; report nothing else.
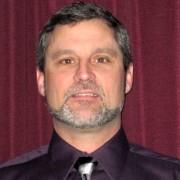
(85, 35)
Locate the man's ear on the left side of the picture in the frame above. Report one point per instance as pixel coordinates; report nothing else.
(40, 81)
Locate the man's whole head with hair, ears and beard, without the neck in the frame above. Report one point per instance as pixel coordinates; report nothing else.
(84, 66)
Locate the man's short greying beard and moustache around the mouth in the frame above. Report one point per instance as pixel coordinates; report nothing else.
(99, 117)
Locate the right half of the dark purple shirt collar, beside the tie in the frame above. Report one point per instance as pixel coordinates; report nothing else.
(113, 154)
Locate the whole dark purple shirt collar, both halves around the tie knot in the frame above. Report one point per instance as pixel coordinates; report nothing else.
(111, 156)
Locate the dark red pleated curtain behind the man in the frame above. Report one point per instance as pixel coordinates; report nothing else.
(152, 109)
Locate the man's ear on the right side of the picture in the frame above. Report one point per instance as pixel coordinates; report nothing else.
(129, 78)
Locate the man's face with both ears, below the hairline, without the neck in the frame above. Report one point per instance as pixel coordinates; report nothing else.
(84, 71)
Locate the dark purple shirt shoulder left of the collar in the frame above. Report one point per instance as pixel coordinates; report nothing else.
(28, 165)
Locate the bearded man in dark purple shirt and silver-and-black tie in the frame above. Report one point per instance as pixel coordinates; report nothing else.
(84, 71)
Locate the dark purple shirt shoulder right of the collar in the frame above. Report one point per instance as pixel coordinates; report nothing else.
(150, 162)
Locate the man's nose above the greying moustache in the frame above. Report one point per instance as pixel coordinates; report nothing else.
(84, 73)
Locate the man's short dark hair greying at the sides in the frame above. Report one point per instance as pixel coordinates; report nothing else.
(78, 12)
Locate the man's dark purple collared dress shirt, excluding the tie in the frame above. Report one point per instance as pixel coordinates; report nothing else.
(117, 160)
